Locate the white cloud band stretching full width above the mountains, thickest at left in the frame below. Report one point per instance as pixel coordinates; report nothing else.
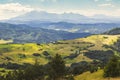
(11, 10)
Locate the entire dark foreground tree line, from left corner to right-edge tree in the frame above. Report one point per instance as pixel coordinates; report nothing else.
(57, 70)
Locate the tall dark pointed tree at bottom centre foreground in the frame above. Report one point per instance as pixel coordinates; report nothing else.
(57, 69)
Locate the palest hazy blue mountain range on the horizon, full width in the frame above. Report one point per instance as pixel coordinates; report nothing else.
(64, 17)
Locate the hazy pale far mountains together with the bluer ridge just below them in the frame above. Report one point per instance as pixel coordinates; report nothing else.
(69, 22)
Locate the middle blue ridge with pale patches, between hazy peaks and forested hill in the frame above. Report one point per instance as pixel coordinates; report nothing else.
(96, 28)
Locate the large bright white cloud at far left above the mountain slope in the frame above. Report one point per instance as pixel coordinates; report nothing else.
(10, 10)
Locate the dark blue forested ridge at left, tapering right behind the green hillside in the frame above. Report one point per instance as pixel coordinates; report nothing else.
(26, 34)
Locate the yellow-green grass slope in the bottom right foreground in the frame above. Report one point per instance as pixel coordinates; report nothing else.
(93, 76)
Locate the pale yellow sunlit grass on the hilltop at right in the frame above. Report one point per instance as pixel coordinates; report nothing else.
(100, 40)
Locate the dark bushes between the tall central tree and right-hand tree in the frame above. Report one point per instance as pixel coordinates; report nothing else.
(81, 67)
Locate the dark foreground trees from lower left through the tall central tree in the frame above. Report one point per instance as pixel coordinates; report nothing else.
(54, 70)
